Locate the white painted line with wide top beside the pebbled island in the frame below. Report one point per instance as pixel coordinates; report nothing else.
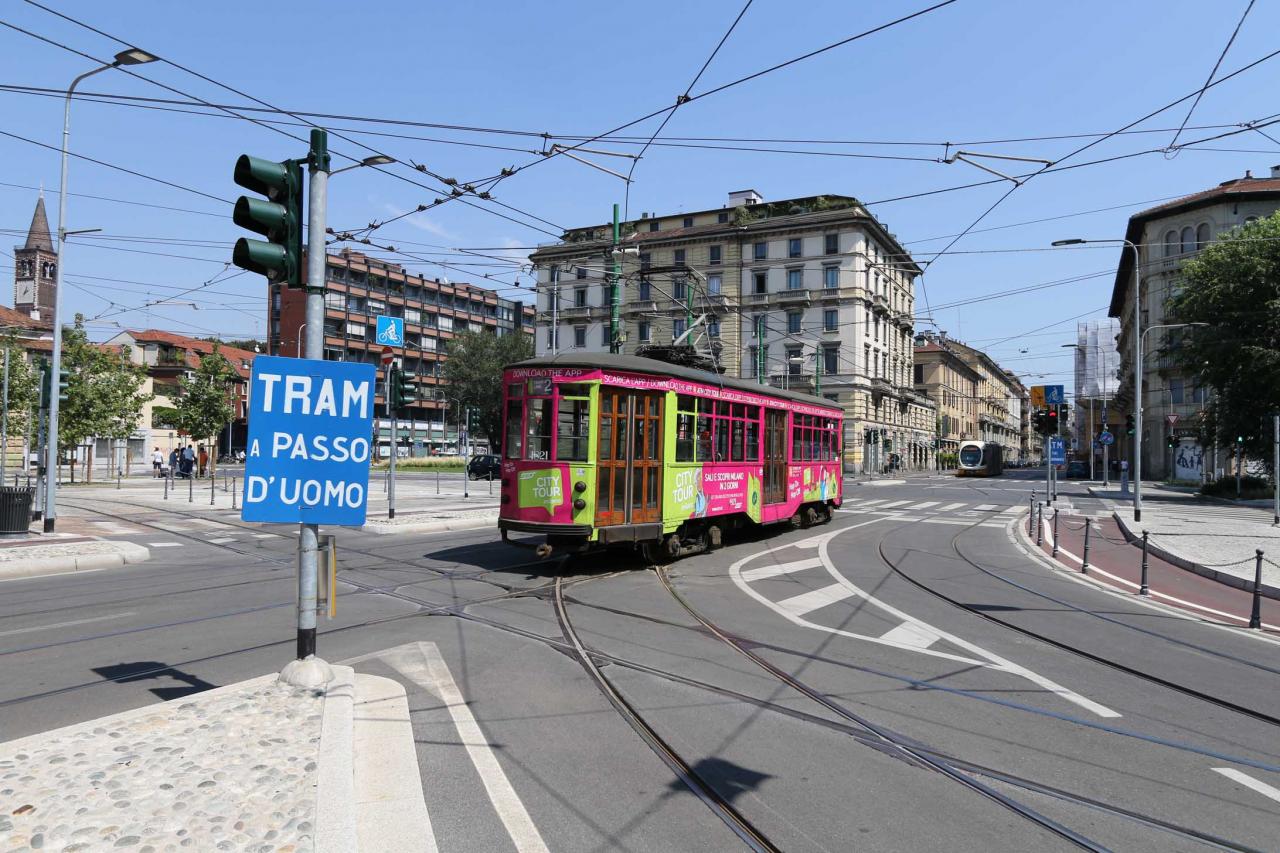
(427, 668)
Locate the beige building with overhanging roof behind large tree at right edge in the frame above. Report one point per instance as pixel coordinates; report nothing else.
(1167, 236)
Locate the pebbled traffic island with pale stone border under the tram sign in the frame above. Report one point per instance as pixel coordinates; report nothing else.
(257, 765)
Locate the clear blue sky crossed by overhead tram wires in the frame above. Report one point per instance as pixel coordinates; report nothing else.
(972, 72)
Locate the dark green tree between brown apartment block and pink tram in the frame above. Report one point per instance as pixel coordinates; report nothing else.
(474, 373)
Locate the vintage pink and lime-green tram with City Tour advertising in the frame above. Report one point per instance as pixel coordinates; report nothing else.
(611, 450)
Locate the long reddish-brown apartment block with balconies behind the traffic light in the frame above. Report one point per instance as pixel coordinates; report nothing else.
(360, 289)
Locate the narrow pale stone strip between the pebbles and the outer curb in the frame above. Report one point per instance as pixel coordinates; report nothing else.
(336, 778)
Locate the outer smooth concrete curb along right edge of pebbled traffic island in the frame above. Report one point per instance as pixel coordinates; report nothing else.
(391, 810)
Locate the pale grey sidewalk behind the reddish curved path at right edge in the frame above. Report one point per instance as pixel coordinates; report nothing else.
(1213, 540)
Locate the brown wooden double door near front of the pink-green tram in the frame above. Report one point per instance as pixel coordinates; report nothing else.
(629, 459)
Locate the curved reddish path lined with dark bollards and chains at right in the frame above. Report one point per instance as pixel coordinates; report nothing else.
(1116, 563)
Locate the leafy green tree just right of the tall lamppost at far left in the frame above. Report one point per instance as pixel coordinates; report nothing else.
(106, 393)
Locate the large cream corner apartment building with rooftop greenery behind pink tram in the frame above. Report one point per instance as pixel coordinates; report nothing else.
(811, 294)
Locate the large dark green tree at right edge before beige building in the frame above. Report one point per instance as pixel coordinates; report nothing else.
(1233, 286)
